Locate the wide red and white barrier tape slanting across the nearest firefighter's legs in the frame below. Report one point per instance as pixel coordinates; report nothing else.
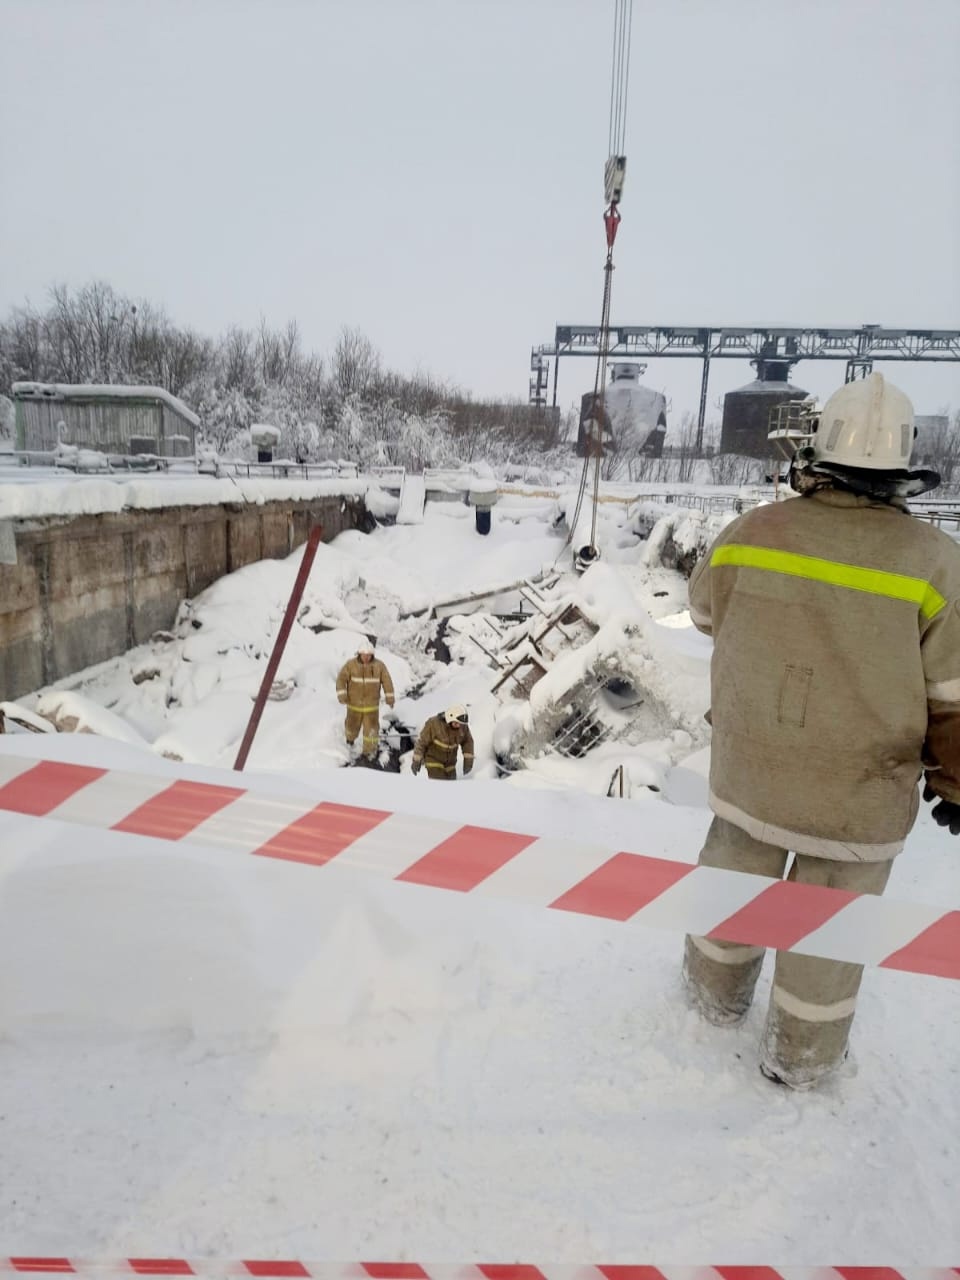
(589, 880)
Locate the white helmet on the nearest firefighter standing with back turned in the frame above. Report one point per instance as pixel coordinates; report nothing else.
(866, 424)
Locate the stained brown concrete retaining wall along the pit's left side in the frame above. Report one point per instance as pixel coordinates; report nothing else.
(90, 588)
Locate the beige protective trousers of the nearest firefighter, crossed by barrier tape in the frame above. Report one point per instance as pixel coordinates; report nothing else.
(813, 1000)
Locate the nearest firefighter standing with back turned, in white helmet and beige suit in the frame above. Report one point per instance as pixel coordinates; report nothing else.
(835, 689)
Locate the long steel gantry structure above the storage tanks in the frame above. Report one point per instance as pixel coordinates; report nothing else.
(779, 345)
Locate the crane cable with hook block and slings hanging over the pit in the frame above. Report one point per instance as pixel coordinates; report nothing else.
(614, 181)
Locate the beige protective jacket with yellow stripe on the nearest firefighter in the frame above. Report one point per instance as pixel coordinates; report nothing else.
(836, 673)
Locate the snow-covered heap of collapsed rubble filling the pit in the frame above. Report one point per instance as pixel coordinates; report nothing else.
(189, 694)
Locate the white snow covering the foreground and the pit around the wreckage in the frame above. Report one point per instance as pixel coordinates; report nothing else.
(214, 1055)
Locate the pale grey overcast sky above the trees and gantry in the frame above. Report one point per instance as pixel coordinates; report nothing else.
(431, 171)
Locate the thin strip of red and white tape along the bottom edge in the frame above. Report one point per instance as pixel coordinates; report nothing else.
(298, 1270)
